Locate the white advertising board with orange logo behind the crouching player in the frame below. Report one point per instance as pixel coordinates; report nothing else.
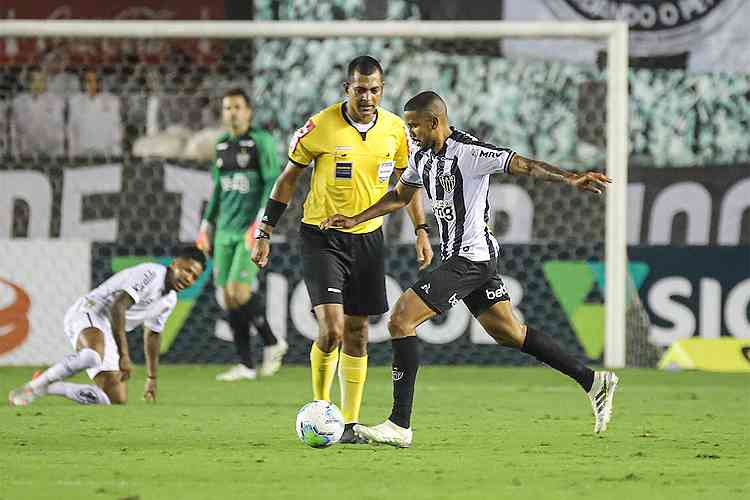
(39, 280)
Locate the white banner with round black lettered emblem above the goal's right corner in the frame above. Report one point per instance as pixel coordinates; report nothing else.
(713, 34)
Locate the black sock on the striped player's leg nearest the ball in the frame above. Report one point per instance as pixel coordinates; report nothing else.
(404, 374)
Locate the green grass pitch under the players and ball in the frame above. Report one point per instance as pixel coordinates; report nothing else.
(479, 433)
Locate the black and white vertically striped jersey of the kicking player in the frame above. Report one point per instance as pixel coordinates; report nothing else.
(457, 183)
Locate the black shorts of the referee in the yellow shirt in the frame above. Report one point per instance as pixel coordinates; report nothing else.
(344, 268)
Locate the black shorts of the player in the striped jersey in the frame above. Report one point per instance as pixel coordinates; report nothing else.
(476, 283)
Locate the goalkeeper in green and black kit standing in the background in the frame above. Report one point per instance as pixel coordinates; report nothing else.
(244, 171)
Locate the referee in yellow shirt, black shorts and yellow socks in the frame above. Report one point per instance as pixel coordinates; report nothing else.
(356, 146)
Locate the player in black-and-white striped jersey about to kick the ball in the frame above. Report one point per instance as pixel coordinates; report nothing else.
(454, 169)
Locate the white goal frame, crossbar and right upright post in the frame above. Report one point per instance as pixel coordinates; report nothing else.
(612, 35)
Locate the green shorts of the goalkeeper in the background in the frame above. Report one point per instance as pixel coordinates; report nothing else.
(232, 262)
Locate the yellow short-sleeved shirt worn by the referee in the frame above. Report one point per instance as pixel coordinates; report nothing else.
(352, 169)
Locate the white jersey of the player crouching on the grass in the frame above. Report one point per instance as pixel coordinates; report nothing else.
(145, 284)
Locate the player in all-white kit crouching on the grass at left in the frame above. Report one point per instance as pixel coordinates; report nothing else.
(96, 326)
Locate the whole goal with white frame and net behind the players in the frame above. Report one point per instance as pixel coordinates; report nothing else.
(107, 133)
